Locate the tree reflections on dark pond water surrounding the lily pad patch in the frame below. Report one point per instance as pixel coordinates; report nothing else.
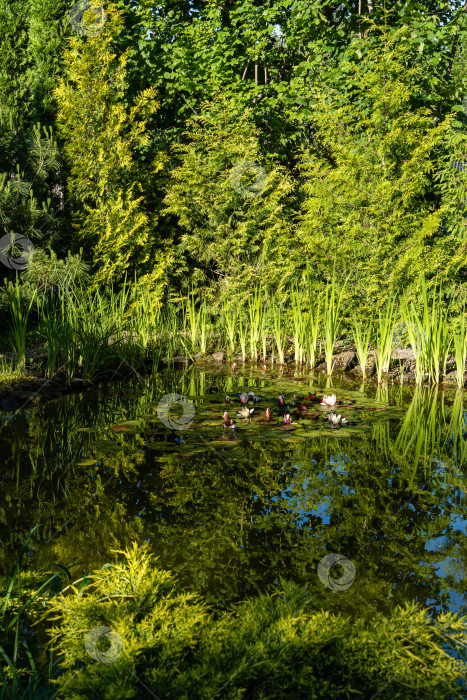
(231, 527)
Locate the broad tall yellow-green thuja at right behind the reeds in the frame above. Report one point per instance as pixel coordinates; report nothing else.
(372, 205)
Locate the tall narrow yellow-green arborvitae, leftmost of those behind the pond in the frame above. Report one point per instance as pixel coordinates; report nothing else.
(105, 143)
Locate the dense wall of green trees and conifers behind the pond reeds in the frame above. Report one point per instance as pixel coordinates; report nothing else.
(291, 72)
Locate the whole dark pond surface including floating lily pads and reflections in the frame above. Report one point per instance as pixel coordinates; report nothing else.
(232, 512)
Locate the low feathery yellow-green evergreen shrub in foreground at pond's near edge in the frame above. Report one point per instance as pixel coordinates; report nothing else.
(275, 646)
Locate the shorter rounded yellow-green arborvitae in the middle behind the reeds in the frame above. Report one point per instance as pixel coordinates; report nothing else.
(231, 203)
